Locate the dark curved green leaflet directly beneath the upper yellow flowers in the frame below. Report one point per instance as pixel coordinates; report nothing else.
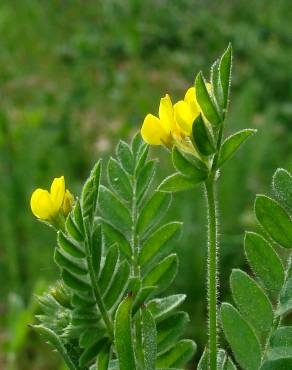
(185, 167)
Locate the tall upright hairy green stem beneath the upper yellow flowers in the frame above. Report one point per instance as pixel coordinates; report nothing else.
(212, 271)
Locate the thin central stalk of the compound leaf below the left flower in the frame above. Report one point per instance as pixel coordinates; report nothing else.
(96, 292)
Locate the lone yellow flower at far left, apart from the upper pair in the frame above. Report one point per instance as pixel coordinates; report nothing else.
(49, 205)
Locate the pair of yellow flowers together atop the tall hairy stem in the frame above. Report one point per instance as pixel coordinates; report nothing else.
(174, 122)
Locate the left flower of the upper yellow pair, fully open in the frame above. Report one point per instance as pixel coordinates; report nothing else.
(162, 130)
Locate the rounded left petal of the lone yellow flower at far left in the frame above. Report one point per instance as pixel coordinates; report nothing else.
(41, 204)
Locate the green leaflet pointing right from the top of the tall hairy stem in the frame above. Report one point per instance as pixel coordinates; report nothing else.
(232, 143)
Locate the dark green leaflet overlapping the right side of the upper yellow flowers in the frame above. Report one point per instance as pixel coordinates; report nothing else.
(202, 137)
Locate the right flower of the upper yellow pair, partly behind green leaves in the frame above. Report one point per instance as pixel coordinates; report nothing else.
(187, 110)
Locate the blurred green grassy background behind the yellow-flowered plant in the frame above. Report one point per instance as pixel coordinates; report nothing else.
(76, 76)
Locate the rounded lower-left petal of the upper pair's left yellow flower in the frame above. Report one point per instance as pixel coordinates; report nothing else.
(152, 131)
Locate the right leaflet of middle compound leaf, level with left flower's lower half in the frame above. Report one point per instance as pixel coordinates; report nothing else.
(153, 211)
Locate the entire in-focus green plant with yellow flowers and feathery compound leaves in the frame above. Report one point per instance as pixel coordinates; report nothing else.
(116, 255)
